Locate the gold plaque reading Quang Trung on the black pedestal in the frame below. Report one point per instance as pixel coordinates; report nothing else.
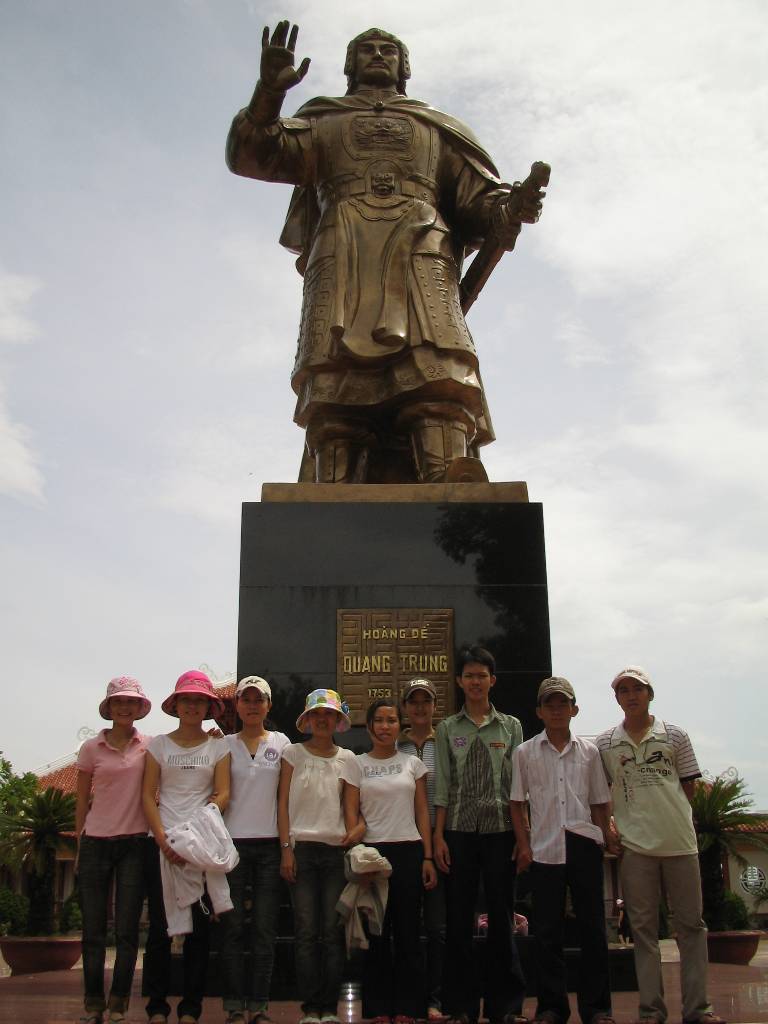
(378, 651)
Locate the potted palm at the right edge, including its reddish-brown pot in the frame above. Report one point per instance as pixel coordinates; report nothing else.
(720, 807)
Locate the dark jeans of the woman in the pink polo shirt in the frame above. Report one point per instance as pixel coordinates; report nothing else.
(101, 863)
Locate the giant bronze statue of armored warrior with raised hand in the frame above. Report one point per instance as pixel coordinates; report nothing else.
(391, 195)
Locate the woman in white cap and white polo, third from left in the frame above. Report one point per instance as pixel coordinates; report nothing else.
(252, 820)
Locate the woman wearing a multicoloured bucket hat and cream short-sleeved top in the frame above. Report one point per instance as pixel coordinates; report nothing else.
(317, 821)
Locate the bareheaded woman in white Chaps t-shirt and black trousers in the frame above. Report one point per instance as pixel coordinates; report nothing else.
(394, 804)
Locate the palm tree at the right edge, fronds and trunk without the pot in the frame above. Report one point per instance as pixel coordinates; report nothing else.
(720, 807)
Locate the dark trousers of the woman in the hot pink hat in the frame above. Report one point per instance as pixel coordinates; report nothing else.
(158, 953)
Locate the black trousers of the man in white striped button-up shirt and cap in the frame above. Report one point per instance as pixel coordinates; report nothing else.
(583, 875)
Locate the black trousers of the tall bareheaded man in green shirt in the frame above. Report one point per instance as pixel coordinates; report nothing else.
(476, 856)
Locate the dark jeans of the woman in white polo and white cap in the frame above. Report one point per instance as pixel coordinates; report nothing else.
(253, 930)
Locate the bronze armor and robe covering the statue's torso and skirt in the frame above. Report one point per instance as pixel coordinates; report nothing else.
(381, 318)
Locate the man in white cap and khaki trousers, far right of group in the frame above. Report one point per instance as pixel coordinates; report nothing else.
(653, 771)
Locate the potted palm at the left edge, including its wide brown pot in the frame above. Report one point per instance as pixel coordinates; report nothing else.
(31, 834)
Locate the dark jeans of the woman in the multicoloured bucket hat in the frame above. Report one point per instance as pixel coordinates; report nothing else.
(321, 954)
